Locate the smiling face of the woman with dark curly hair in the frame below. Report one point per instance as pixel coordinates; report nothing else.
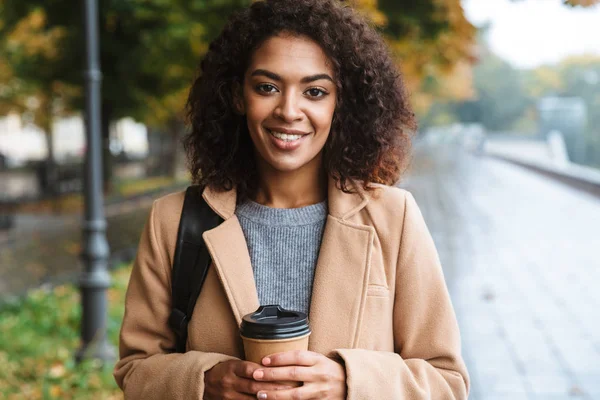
(289, 99)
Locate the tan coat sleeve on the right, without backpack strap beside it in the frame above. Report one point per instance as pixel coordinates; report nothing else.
(427, 362)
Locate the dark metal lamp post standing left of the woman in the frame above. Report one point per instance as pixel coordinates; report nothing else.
(94, 280)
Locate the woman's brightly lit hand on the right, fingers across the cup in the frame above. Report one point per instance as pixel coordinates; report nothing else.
(323, 377)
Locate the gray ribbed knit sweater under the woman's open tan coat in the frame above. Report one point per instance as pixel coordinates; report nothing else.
(284, 246)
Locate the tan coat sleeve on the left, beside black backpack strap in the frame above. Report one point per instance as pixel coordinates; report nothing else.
(147, 368)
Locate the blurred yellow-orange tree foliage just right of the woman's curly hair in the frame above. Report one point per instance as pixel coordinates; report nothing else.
(434, 44)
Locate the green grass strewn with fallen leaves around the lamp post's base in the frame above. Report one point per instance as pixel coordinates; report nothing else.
(39, 334)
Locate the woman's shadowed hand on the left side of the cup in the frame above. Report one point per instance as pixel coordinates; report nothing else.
(233, 380)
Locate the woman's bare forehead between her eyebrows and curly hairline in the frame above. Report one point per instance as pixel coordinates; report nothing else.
(290, 55)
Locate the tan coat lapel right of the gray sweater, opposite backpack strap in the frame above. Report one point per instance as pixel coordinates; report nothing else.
(341, 276)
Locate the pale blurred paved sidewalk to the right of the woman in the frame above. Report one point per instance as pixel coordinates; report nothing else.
(520, 255)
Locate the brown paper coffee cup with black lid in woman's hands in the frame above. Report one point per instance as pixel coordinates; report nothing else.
(272, 329)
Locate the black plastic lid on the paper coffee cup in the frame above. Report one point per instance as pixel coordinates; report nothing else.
(274, 322)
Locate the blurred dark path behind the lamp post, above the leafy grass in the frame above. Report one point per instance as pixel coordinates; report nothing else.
(45, 249)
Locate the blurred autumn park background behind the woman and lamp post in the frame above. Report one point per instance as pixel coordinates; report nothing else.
(505, 169)
